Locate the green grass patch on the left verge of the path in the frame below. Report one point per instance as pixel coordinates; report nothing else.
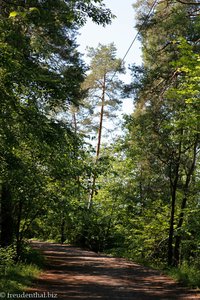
(17, 277)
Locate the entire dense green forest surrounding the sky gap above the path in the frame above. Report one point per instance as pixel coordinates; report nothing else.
(62, 177)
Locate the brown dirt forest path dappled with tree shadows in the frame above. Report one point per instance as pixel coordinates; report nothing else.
(74, 273)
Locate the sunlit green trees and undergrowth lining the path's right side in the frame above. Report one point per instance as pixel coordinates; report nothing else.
(147, 201)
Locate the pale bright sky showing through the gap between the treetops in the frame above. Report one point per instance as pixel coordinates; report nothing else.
(121, 32)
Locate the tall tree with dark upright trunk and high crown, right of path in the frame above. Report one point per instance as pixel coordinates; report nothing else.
(161, 124)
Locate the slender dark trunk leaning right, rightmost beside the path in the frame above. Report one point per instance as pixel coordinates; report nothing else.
(183, 205)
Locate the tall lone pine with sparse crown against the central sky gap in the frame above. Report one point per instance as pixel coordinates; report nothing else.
(103, 98)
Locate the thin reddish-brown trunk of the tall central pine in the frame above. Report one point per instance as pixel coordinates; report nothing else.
(92, 190)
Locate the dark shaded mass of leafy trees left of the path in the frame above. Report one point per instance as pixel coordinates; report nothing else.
(41, 74)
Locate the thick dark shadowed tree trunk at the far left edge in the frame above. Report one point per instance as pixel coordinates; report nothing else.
(6, 237)
